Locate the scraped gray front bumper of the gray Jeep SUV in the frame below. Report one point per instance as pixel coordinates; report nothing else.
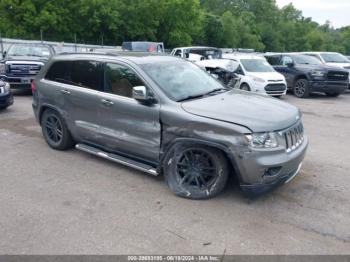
(263, 170)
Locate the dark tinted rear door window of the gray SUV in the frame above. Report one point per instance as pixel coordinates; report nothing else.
(88, 74)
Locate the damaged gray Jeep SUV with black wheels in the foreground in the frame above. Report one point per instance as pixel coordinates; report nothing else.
(164, 115)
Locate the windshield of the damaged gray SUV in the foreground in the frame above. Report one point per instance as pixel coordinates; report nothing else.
(181, 79)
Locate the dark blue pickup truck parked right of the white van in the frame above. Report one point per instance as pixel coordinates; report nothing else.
(305, 74)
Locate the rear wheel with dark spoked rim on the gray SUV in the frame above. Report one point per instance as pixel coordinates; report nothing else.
(55, 130)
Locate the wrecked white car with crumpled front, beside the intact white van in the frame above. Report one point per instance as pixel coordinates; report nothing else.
(223, 70)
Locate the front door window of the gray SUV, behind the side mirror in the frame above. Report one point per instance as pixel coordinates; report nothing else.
(120, 80)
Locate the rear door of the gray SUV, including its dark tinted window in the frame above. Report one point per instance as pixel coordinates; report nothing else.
(81, 94)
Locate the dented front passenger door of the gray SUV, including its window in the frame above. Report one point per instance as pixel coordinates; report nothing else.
(128, 126)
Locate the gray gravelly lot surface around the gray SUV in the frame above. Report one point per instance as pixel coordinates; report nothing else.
(73, 203)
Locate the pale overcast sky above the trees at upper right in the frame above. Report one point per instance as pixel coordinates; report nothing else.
(336, 11)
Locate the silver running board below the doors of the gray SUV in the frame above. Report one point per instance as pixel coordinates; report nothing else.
(118, 159)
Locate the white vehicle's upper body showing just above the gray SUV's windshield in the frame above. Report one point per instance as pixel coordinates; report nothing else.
(197, 53)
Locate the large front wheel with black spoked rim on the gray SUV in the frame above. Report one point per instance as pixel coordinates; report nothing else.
(196, 172)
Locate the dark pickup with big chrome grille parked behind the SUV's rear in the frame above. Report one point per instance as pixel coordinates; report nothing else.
(22, 62)
